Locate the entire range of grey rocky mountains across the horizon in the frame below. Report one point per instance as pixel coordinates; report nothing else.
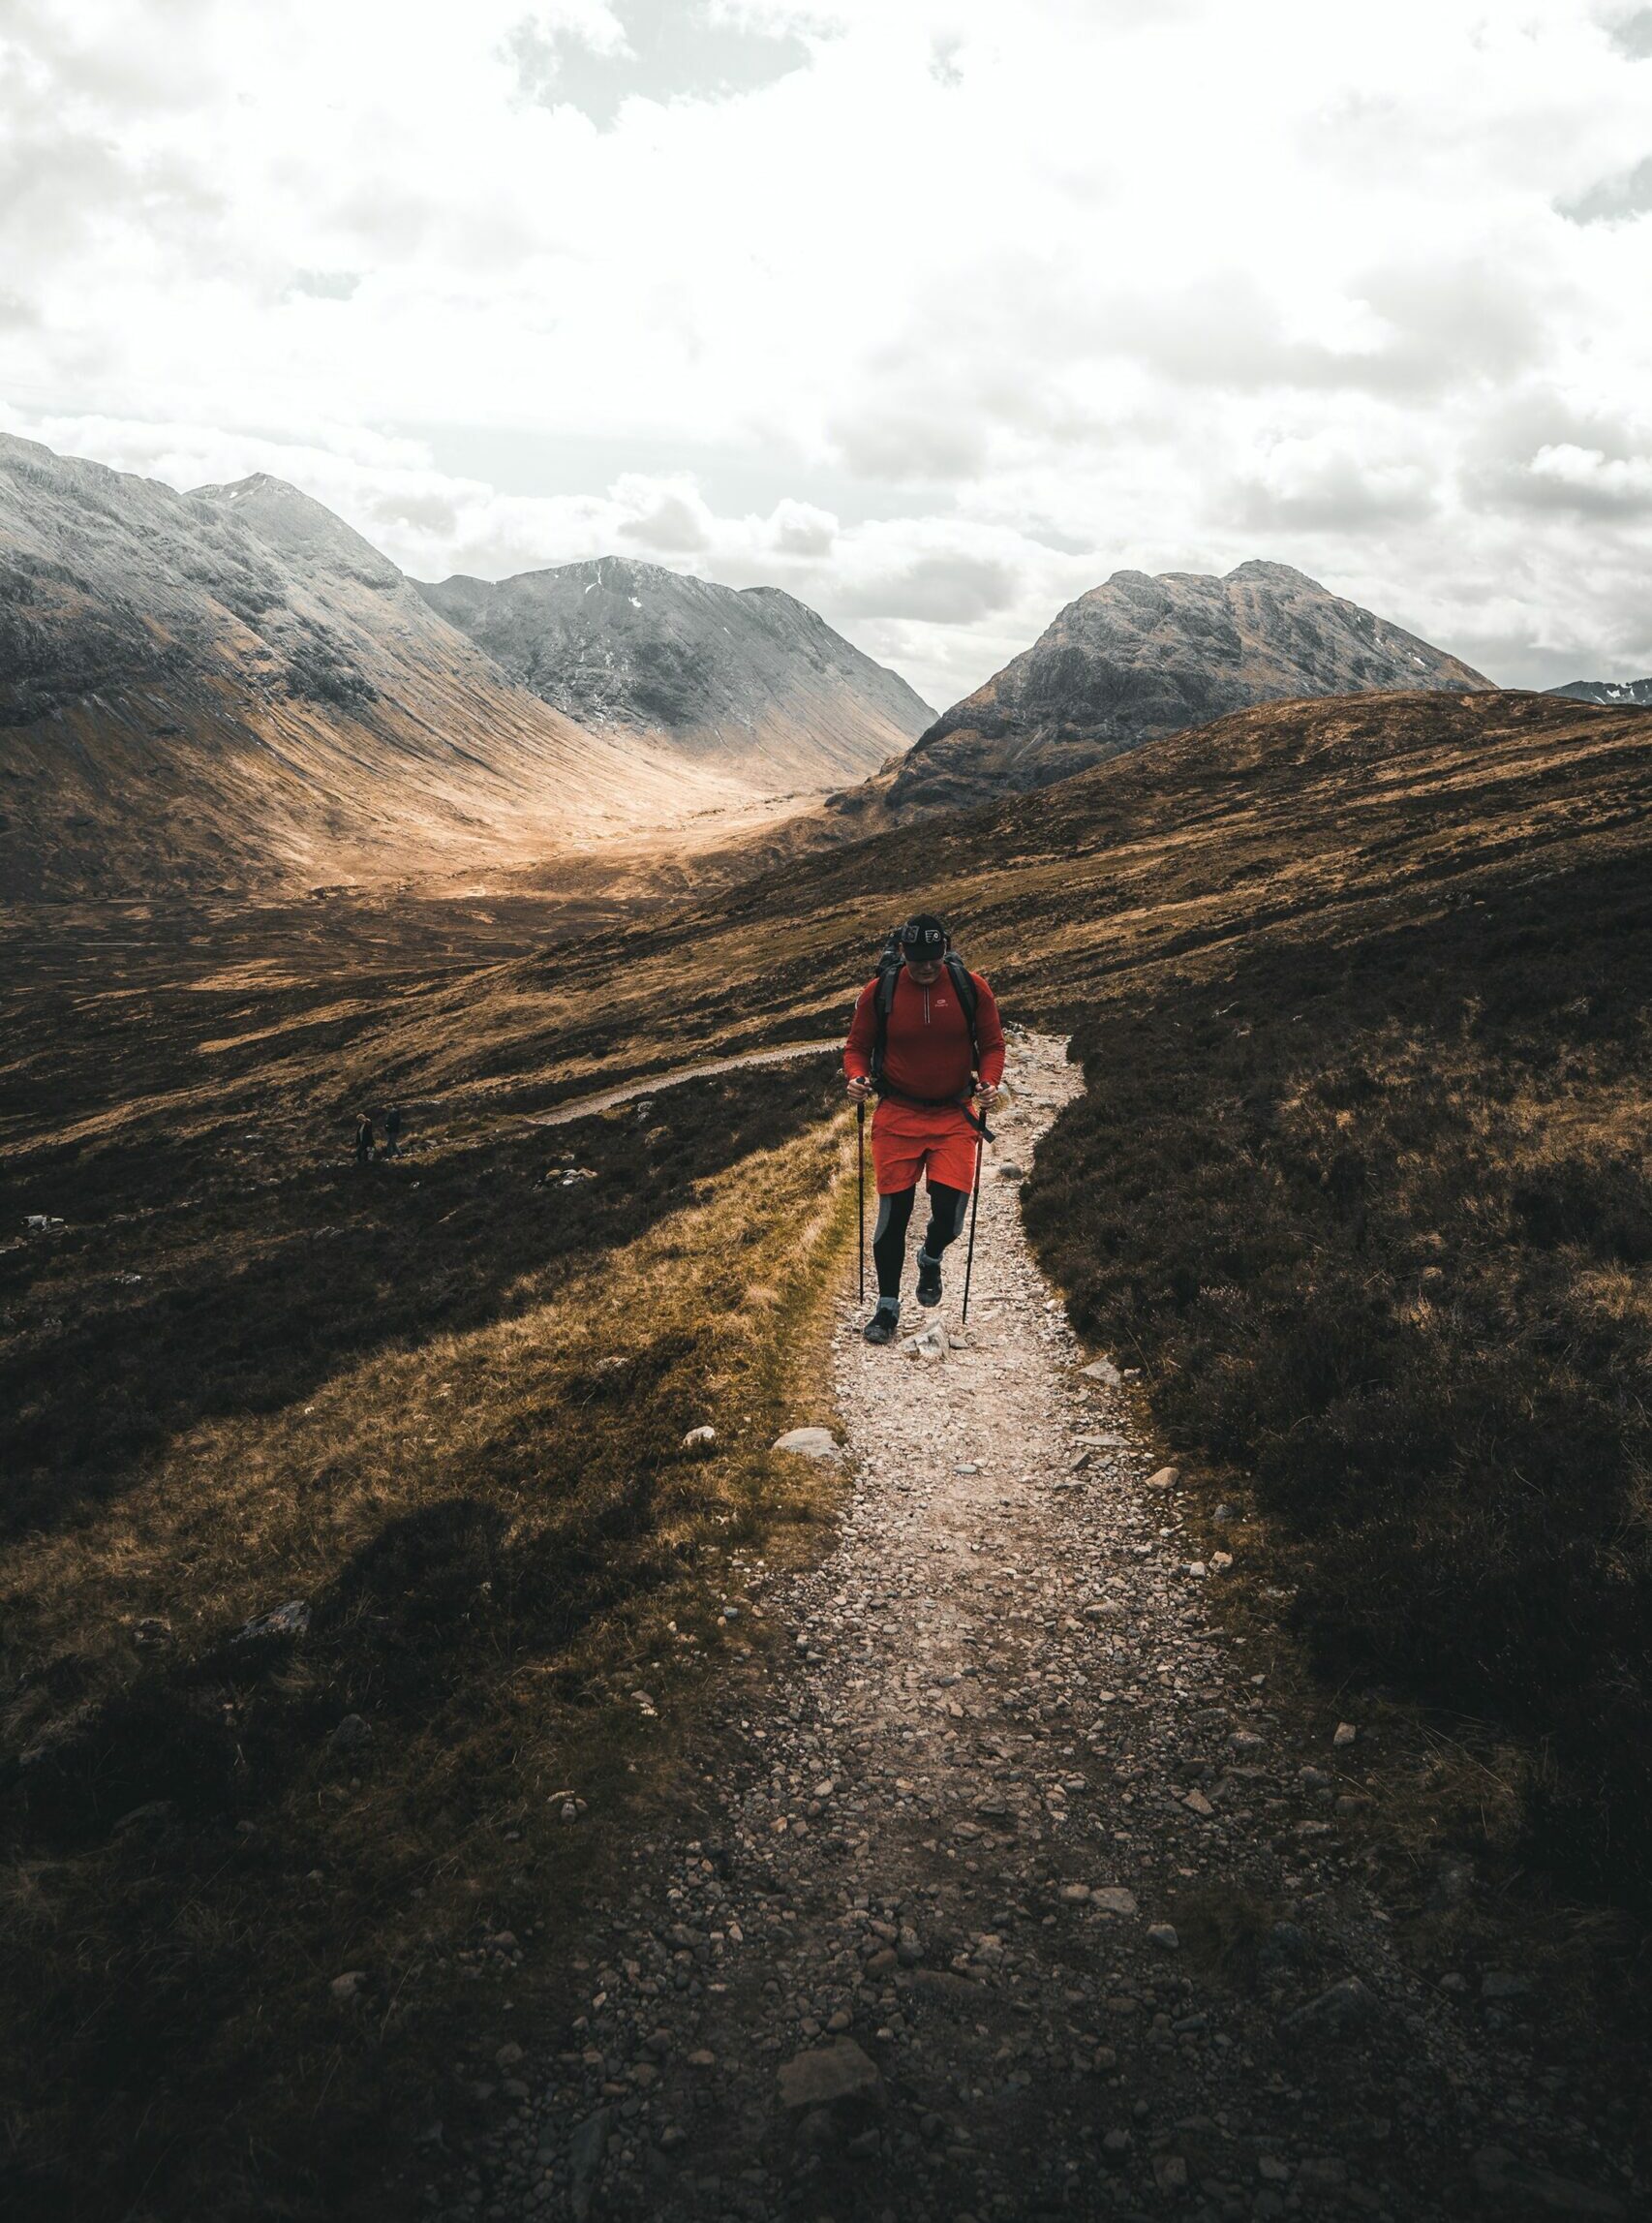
(232, 688)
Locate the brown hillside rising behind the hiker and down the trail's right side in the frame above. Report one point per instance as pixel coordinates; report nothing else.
(1360, 1179)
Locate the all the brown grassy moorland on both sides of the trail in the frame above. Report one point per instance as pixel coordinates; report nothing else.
(1357, 1179)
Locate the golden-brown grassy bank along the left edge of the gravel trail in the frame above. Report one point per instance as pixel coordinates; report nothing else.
(501, 1539)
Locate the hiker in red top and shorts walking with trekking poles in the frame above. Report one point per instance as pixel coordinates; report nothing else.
(924, 1039)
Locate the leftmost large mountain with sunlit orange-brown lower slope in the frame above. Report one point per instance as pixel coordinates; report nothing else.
(235, 688)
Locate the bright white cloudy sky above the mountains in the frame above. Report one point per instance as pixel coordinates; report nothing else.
(935, 312)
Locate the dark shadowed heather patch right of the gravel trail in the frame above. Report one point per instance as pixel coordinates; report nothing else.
(1375, 1215)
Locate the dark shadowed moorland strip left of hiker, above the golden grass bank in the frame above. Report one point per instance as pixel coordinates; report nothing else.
(266, 1293)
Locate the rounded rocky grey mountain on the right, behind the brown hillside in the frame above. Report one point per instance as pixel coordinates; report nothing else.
(1144, 657)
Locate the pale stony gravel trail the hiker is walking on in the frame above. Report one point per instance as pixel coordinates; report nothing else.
(933, 1946)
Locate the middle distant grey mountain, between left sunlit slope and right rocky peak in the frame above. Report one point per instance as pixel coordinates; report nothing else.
(750, 679)
